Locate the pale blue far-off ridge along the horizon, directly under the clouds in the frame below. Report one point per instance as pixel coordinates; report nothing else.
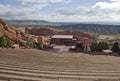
(60, 23)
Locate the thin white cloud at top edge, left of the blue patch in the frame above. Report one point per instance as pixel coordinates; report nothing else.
(39, 4)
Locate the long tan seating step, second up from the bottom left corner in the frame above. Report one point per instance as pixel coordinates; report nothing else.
(60, 73)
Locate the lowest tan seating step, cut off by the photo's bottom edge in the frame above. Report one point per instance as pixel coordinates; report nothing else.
(19, 78)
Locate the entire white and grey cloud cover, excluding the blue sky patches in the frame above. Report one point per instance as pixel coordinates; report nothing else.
(31, 9)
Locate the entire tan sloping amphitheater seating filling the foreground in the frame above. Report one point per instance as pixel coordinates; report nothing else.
(36, 65)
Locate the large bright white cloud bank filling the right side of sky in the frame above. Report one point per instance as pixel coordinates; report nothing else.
(100, 11)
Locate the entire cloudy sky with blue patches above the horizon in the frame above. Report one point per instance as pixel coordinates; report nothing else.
(61, 10)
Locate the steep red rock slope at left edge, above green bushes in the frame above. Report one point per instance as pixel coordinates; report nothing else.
(11, 33)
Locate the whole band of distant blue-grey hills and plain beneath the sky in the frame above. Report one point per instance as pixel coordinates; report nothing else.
(95, 28)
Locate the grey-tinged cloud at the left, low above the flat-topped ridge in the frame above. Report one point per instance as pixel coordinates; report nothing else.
(11, 12)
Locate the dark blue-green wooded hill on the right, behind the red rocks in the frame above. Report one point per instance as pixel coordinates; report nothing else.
(95, 28)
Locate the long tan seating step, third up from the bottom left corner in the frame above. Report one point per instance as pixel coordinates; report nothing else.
(57, 72)
